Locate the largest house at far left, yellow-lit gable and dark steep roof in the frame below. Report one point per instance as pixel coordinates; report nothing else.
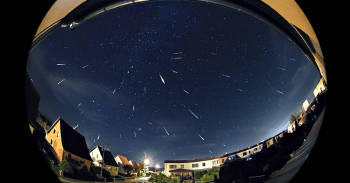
(68, 144)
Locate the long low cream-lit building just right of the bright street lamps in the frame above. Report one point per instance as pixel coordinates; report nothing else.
(191, 165)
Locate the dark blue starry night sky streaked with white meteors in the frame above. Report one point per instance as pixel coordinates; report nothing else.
(171, 80)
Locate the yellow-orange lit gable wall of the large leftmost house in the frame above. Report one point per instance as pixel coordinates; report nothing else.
(55, 140)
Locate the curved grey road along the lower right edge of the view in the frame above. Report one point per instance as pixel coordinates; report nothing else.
(288, 171)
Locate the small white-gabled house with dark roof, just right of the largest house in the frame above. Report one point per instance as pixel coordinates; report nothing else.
(103, 158)
